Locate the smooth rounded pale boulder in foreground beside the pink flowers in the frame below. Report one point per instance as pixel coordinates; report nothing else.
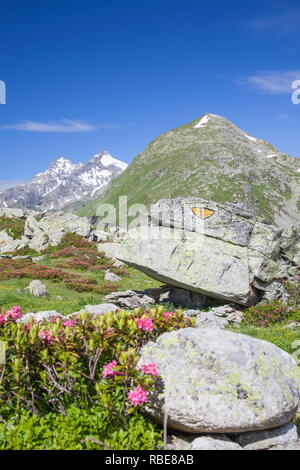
(216, 381)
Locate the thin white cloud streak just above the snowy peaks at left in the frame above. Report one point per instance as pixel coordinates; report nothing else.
(65, 125)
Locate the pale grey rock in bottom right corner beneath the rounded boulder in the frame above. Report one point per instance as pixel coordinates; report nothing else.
(283, 436)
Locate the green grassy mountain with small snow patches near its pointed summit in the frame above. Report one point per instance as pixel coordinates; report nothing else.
(213, 159)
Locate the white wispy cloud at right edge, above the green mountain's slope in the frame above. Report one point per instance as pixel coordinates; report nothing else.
(272, 82)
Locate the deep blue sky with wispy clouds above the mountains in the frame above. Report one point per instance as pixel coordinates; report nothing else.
(83, 76)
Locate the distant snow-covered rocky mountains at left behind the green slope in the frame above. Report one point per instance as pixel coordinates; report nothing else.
(63, 183)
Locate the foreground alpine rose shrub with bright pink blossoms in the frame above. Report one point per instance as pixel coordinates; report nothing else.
(84, 361)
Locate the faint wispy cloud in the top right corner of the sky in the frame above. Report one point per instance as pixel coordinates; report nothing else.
(285, 22)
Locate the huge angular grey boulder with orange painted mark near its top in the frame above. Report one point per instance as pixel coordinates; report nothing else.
(217, 250)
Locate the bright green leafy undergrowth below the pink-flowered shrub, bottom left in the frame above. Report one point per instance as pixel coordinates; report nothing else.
(80, 429)
